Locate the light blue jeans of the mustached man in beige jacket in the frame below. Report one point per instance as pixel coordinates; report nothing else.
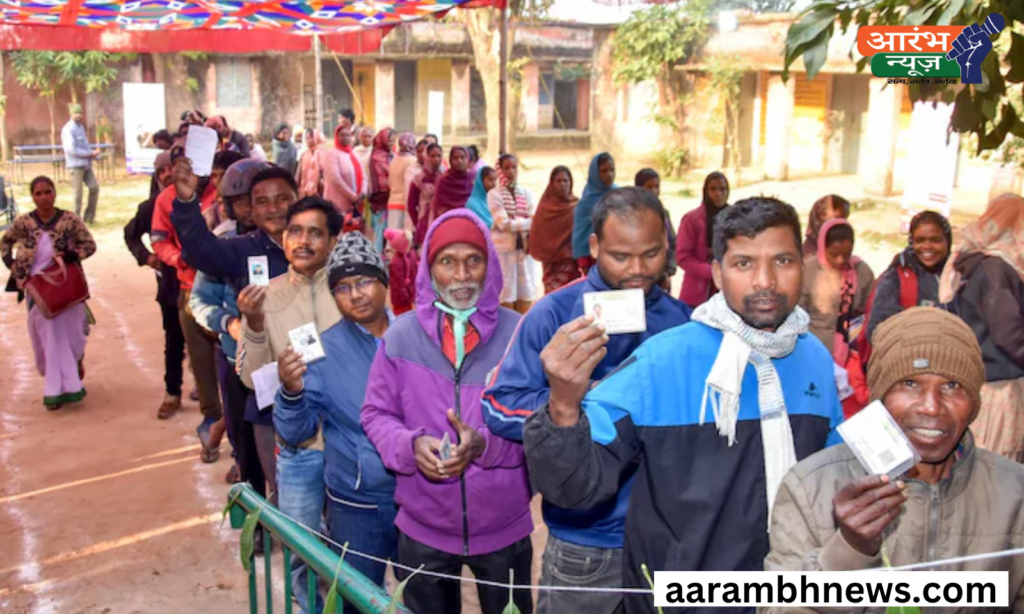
(301, 481)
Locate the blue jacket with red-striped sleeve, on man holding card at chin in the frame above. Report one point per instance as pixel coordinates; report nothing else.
(521, 387)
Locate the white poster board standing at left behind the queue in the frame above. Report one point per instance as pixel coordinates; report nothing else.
(145, 116)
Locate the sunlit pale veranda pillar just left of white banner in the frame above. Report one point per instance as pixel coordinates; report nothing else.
(884, 105)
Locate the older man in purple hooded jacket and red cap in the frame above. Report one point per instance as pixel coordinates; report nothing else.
(468, 503)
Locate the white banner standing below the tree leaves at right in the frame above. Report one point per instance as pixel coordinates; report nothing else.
(931, 162)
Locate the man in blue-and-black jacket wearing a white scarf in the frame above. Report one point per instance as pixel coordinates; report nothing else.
(703, 492)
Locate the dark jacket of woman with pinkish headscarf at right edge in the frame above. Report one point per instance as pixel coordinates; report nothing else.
(990, 300)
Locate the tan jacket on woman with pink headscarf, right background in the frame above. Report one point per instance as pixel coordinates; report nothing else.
(822, 294)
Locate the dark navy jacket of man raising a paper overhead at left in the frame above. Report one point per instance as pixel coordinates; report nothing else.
(228, 258)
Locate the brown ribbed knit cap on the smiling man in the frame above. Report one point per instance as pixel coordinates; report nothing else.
(926, 340)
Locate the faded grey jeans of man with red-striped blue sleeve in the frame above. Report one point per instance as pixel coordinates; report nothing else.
(572, 565)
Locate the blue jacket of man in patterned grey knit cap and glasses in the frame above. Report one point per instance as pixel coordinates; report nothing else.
(333, 396)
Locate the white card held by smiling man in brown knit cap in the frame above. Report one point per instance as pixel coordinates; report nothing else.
(879, 443)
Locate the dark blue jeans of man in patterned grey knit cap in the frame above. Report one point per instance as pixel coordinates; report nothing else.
(367, 530)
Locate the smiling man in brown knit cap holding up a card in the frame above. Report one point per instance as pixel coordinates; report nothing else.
(930, 494)
